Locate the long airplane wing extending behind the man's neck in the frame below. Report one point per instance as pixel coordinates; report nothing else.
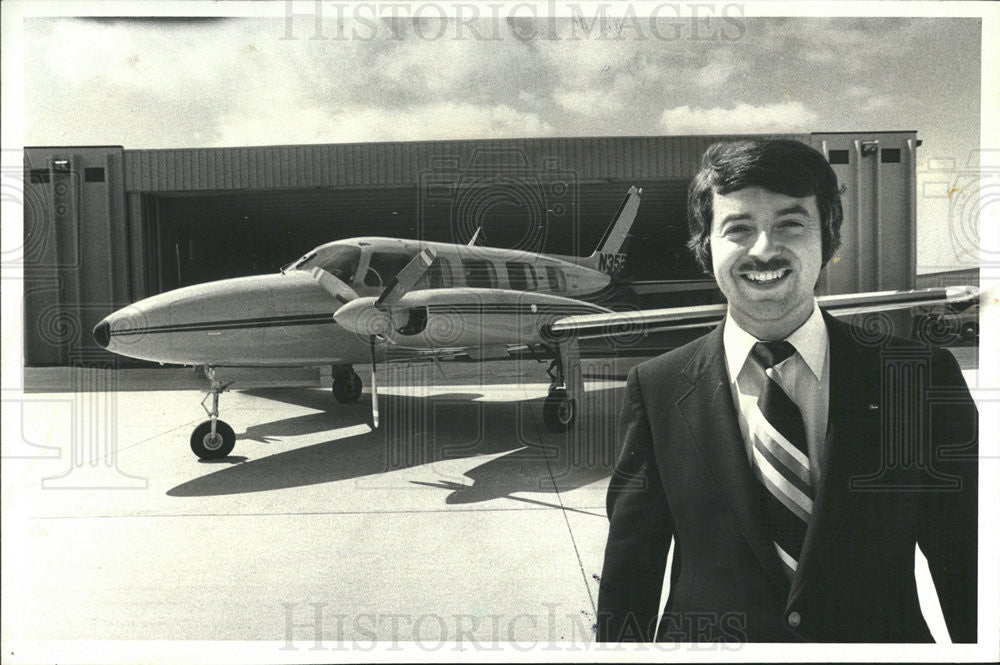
(591, 326)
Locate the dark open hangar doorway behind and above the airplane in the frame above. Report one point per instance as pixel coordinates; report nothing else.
(205, 236)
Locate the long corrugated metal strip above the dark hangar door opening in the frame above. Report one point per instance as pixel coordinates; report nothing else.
(395, 164)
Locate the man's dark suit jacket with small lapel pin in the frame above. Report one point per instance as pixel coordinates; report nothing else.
(900, 468)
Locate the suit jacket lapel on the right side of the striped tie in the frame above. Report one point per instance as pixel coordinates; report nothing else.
(847, 406)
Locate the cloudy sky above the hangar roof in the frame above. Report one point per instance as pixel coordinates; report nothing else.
(157, 83)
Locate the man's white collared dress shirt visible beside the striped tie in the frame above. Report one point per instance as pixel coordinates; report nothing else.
(805, 378)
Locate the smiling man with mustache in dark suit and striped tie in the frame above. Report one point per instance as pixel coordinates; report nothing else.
(761, 450)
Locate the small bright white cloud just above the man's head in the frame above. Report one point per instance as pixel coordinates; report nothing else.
(742, 118)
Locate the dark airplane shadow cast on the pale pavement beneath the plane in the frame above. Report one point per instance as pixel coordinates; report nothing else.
(417, 431)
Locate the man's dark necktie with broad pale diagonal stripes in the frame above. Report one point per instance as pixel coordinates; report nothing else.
(781, 458)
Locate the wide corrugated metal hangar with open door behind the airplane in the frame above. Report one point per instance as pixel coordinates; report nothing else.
(105, 226)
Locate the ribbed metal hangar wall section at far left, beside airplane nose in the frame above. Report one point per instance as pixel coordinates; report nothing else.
(75, 262)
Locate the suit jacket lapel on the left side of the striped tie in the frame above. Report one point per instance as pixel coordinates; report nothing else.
(710, 416)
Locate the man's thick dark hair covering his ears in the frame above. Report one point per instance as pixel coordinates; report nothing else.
(782, 166)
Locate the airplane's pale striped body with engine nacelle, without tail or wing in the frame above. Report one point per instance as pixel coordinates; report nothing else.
(494, 297)
